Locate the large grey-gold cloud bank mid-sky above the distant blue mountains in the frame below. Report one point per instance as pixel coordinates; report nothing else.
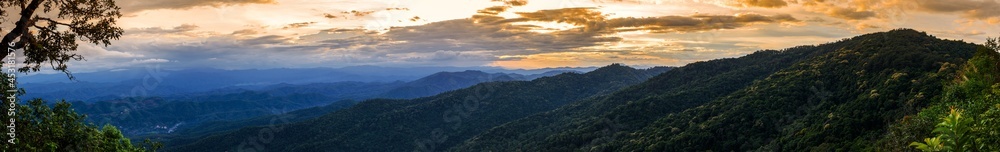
(516, 39)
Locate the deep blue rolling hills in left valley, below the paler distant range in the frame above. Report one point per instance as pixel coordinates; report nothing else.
(164, 114)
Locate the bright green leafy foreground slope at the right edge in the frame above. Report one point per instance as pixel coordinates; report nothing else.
(970, 101)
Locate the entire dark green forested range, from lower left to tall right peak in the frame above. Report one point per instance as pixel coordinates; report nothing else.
(874, 92)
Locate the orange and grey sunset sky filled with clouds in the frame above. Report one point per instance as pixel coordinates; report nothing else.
(260, 34)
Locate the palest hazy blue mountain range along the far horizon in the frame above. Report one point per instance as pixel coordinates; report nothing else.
(118, 83)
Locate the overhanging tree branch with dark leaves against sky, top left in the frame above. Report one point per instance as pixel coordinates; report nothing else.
(47, 30)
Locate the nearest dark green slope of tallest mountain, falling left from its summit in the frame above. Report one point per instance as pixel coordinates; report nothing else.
(843, 100)
